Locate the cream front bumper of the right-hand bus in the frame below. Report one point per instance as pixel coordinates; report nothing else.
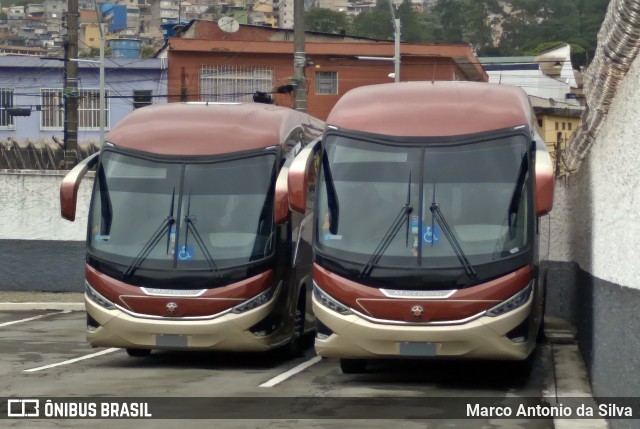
(483, 338)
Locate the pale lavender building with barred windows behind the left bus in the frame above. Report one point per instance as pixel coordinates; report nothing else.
(36, 86)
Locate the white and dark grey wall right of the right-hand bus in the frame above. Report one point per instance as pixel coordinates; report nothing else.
(595, 250)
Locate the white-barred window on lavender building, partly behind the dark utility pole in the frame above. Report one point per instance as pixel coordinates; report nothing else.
(52, 116)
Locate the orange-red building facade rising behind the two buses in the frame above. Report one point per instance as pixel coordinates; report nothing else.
(206, 64)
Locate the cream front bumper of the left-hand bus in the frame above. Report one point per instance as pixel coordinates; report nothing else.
(227, 332)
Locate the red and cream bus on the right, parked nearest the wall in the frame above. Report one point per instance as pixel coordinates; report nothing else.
(426, 223)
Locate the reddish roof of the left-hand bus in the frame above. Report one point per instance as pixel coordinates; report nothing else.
(184, 129)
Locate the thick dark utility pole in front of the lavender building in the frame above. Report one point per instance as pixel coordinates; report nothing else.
(70, 92)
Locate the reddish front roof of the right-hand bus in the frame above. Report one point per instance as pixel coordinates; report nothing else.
(434, 109)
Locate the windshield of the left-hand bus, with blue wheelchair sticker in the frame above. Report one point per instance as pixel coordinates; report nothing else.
(154, 214)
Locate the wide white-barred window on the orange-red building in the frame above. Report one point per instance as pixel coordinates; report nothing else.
(234, 83)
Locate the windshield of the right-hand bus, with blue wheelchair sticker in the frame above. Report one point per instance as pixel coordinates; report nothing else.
(451, 205)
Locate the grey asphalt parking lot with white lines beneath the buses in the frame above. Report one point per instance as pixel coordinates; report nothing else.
(44, 354)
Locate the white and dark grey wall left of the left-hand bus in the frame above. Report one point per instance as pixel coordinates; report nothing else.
(41, 251)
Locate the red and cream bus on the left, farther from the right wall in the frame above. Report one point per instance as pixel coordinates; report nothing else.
(191, 243)
